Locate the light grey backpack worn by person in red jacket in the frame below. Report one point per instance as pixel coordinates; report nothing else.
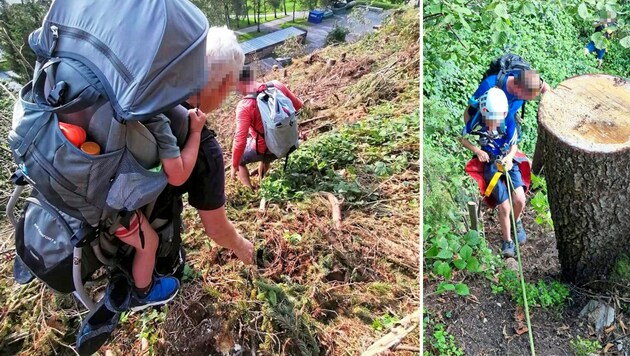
(279, 119)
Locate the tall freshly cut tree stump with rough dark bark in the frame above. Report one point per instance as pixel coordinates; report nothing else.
(584, 131)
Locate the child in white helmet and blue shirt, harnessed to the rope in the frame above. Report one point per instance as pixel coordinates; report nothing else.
(498, 148)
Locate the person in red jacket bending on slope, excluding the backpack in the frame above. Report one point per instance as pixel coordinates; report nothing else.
(253, 148)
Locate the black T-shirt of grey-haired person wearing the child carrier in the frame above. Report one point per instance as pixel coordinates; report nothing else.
(206, 184)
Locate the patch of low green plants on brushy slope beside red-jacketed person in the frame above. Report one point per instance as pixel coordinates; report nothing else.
(329, 162)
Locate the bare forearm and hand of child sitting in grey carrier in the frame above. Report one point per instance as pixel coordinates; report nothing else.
(178, 169)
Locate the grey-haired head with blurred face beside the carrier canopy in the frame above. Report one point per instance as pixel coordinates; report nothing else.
(224, 60)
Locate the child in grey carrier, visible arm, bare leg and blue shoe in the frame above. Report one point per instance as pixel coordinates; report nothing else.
(151, 290)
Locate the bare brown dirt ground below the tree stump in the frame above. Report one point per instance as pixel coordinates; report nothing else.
(485, 323)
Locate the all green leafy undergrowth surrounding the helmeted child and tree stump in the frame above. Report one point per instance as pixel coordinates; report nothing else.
(461, 38)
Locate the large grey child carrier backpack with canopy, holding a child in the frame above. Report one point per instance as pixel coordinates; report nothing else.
(99, 70)
